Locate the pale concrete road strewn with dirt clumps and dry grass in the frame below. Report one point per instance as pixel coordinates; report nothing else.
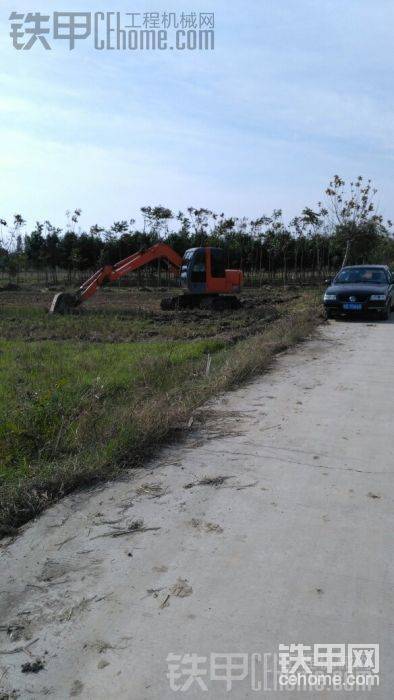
(294, 545)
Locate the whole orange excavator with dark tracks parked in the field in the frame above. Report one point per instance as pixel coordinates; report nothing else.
(201, 272)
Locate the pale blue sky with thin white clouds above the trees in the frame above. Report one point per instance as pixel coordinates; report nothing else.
(295, 91)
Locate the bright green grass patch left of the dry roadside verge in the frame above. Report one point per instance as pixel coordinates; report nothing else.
(53, 396)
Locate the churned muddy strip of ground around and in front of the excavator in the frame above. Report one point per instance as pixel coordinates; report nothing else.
(129, 314)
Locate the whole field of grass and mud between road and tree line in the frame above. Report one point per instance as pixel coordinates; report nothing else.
(84, 396)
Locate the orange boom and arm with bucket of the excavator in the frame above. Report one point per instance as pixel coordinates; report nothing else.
(65, 302)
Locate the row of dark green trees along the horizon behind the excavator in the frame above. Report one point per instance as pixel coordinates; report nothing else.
(346, 228)
